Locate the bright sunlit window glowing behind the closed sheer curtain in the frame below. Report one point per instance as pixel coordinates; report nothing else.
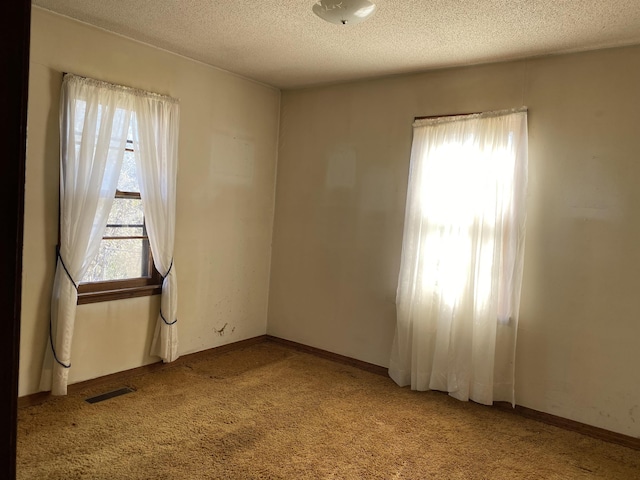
(465, 194)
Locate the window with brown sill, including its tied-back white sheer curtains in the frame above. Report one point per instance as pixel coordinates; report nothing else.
(118, 148)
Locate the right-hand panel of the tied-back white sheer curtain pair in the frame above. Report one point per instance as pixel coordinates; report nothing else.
(156, 150)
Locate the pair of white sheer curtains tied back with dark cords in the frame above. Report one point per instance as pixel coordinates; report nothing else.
(94, 122)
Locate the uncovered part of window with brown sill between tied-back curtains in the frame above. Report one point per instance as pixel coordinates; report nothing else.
(123, 267)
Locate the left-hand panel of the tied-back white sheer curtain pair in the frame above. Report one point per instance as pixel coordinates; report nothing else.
(94, 120)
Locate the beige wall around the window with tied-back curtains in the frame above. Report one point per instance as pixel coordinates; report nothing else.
(227, 159)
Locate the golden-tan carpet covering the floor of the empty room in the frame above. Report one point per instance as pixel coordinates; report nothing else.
(270, 412)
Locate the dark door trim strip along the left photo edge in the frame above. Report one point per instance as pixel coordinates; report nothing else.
(15, 27)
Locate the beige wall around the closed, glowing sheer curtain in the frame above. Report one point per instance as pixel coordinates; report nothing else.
(342, 175)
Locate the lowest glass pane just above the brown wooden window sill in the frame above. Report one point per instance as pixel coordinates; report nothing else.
(119, 259)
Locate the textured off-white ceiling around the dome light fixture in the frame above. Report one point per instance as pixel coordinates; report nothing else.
(282, 43)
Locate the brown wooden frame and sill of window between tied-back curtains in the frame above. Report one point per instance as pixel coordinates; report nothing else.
(108, 290)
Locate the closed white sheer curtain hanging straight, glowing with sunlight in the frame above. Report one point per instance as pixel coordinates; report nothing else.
(462, 256)
